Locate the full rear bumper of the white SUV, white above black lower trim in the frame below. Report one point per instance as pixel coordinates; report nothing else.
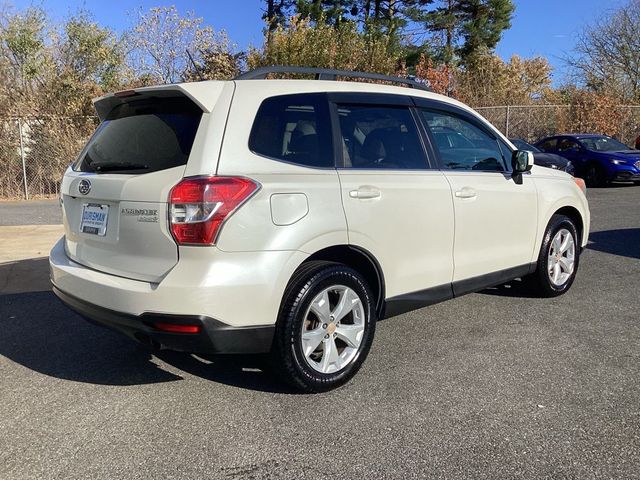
(234, 297)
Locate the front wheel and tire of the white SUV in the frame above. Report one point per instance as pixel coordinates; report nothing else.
(557, 263)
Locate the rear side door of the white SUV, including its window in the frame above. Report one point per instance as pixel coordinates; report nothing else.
(398, 206)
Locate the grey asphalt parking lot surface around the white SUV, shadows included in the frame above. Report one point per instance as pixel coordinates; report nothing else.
(491, 385)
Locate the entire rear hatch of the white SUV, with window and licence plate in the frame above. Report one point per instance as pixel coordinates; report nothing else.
(115, 195)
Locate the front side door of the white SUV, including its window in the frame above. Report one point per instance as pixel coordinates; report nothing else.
(495, 216)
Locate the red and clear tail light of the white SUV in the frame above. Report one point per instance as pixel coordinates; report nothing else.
(199, 206)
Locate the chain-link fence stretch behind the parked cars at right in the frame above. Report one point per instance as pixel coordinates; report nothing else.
(533, 122)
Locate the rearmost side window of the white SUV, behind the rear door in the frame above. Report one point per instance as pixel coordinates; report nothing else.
(293, 128)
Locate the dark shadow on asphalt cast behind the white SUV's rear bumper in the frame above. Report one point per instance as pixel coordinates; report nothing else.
(38, 332)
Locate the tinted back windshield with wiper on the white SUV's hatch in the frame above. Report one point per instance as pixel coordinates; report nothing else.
(142, 136)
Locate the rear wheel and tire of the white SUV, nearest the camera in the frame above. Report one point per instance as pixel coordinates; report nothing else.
(310, 316)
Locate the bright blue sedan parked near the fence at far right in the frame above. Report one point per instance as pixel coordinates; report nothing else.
(598, 159)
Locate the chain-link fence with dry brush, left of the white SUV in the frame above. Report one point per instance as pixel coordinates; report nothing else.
(34, 152)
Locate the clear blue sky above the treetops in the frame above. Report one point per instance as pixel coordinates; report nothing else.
(540, 27)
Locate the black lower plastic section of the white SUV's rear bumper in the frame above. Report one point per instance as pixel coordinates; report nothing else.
(213, 337)
